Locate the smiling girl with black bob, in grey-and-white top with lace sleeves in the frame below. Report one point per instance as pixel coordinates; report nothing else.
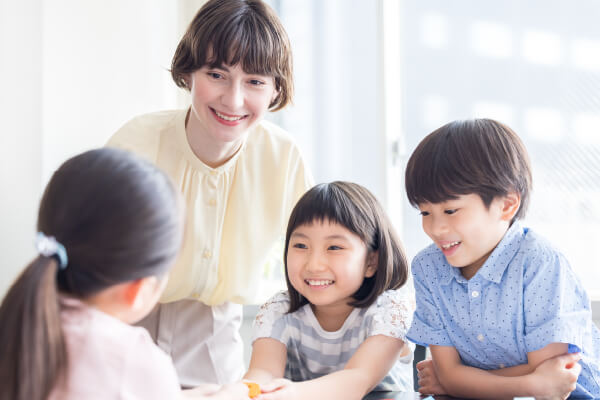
(339, 330)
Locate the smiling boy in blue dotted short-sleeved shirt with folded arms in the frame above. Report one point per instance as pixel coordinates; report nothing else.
(500, 308)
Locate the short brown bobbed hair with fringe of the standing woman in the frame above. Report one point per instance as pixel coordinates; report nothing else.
(228, 32)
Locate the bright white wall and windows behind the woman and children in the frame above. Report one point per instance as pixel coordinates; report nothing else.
(373, 77)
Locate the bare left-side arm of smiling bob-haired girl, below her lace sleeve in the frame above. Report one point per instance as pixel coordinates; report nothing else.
(267, 361)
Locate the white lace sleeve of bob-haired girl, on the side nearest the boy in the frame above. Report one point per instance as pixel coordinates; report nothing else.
(392, 314)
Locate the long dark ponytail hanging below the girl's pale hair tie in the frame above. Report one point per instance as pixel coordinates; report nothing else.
(33, 354)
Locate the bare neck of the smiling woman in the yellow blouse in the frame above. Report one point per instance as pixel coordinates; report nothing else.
(210, 152)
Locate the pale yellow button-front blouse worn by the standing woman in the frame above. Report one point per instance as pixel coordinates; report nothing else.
(235, 213)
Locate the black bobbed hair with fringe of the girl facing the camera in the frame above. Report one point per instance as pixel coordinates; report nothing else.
(355, 208)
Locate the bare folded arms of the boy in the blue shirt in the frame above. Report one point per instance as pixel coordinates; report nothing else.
(553, 379)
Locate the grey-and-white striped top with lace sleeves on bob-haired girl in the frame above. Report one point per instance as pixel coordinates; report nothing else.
(313, 352)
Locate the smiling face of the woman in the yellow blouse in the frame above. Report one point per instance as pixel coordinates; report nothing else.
(227, 102)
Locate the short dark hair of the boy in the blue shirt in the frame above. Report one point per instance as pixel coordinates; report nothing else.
(479, 156)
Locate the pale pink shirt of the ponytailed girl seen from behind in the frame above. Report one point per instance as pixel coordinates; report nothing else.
(111, 360)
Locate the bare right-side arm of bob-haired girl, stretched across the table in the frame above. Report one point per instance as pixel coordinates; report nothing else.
(368, 366)
